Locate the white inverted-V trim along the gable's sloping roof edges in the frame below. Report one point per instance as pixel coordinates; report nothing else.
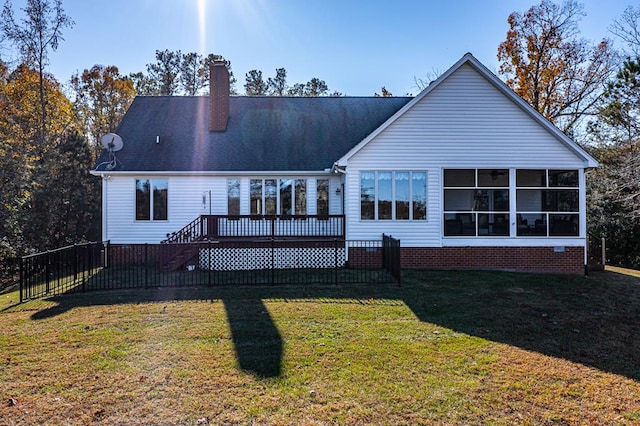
(468, 58)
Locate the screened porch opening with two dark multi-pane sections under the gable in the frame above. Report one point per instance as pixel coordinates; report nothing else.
(511, 202)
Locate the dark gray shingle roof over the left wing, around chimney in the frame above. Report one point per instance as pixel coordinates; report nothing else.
(263, 133)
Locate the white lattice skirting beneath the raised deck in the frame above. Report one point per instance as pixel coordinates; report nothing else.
(237, 259)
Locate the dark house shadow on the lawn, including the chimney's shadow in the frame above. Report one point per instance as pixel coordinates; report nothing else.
(592, 320)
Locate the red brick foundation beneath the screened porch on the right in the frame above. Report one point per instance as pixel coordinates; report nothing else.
(520, 259)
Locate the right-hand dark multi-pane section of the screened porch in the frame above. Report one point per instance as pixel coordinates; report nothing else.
(547, 203)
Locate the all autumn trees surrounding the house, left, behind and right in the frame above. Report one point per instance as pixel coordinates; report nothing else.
(49, 132)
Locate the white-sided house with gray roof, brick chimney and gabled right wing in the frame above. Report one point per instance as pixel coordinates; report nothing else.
(465, 174)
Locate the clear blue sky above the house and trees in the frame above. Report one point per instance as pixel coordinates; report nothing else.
(355, 46)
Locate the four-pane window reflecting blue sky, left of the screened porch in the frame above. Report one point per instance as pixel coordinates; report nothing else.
(393, 195)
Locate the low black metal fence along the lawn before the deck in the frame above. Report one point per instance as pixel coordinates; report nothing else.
(104, 266)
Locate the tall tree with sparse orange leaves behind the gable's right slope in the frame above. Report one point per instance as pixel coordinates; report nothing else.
(546, 63)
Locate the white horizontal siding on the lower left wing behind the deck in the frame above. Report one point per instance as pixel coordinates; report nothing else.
(186, 195)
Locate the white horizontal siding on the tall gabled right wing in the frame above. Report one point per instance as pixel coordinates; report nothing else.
(465, 122)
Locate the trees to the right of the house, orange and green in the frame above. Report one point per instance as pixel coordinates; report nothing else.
(592, 93)
